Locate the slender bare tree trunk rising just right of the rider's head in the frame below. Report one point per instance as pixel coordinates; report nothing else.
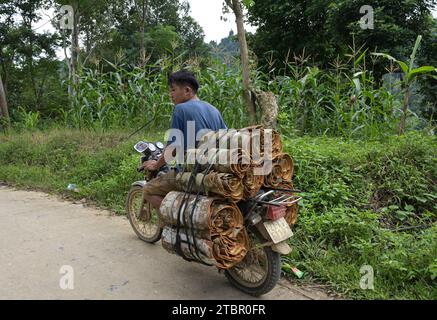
(238, 11)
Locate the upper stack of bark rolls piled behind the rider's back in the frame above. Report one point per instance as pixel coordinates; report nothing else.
(237, 163)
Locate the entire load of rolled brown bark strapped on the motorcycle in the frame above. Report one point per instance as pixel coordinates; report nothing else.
(227, 167)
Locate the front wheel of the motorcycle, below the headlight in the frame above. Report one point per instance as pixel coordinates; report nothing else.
(145, 224)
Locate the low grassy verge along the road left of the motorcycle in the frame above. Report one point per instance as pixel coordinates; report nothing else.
(102, 165)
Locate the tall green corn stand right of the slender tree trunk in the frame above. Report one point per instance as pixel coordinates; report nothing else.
(341, 101)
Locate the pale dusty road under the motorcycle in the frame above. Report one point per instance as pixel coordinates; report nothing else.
(54, 249)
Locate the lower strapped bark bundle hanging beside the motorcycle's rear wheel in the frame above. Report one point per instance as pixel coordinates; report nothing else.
(211, 230)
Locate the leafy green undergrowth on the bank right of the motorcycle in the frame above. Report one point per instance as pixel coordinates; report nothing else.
(368, 203)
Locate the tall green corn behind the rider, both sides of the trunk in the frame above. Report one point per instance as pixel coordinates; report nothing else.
(341, 101)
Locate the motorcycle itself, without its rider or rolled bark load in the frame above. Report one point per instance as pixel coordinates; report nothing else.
(260, 270)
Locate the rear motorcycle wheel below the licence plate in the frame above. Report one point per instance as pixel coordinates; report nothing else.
(258, 273)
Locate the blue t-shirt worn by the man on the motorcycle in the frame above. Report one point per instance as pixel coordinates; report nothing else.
(191, 117)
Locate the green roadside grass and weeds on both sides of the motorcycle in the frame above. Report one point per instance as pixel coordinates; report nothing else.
(366, 203)
